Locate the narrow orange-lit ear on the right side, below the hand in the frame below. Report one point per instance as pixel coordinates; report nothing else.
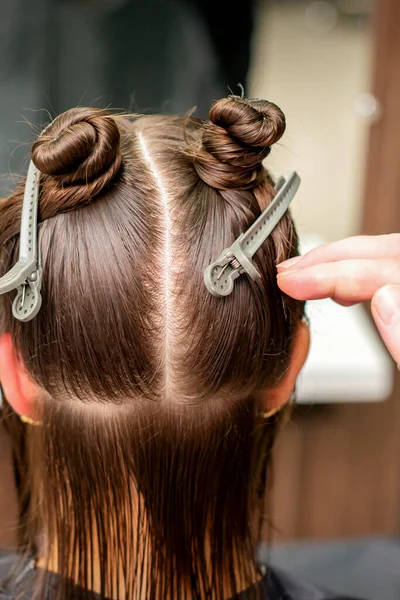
(275, 398)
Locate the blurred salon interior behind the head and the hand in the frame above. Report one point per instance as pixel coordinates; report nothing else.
(333, 66)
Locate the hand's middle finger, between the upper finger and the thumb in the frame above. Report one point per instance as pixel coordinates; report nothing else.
(346, 281)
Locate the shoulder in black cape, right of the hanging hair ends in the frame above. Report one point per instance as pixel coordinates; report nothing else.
(280, 585)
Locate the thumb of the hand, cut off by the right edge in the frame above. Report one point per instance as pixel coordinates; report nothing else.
(385, 308)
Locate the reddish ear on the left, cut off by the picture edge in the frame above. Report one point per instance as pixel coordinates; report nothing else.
(20, 391)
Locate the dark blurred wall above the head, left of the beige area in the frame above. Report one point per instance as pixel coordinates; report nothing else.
(150, 56)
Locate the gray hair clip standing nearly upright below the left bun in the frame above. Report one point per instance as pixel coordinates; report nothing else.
(26, 275)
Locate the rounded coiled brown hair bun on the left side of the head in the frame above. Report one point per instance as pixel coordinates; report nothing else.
(81, 147)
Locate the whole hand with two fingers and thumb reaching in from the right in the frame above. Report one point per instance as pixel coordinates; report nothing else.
(350, 271)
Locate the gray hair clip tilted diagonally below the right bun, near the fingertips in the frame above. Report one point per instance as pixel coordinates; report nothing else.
(219, 277)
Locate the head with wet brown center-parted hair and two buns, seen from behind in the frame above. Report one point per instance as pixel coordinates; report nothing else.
(148, 469)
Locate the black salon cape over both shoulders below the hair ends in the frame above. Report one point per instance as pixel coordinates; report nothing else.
(275, 585)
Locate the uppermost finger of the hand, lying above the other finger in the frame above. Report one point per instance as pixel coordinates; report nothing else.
(359, 247)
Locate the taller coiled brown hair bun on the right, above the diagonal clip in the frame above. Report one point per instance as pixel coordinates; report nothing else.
(237, 139)
